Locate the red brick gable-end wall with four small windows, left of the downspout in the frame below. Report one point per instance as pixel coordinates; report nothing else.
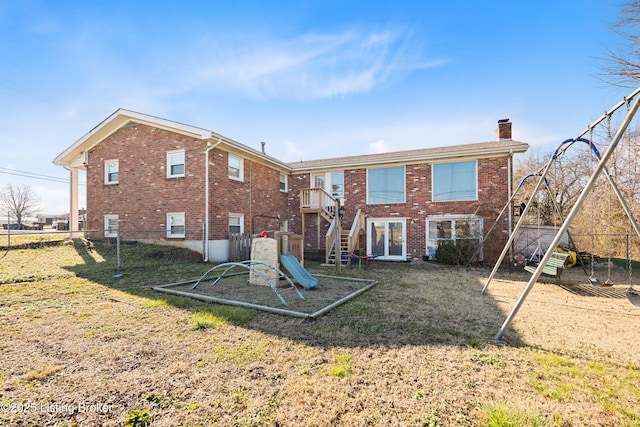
(144, 195)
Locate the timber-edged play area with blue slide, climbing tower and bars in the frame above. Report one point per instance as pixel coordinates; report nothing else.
(276, 264)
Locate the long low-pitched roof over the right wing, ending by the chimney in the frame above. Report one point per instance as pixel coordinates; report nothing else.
(476, 150)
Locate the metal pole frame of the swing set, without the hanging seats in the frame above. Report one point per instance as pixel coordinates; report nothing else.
(632, 294)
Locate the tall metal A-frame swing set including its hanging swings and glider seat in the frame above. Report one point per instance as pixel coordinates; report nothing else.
(551, 258)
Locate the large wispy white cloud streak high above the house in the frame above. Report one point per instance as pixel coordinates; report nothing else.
(313, 66)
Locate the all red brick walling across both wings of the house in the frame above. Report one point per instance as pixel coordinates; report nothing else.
(144, 195)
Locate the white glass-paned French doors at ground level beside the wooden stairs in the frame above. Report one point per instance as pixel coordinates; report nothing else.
(386, 238)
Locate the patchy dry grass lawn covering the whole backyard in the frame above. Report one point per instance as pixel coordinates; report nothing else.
(80, 347)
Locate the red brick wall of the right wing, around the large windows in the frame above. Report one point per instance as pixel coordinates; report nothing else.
(492, 196)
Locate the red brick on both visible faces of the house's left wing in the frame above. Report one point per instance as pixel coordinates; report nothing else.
(144, 195)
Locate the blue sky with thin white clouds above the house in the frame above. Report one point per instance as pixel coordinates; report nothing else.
(312, 79)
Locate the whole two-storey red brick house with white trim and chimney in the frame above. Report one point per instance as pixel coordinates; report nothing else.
(171, 183)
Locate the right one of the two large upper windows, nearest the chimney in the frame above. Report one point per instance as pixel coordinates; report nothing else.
(455, 181)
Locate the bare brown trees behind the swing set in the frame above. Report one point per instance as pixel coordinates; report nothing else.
(602, 214)
